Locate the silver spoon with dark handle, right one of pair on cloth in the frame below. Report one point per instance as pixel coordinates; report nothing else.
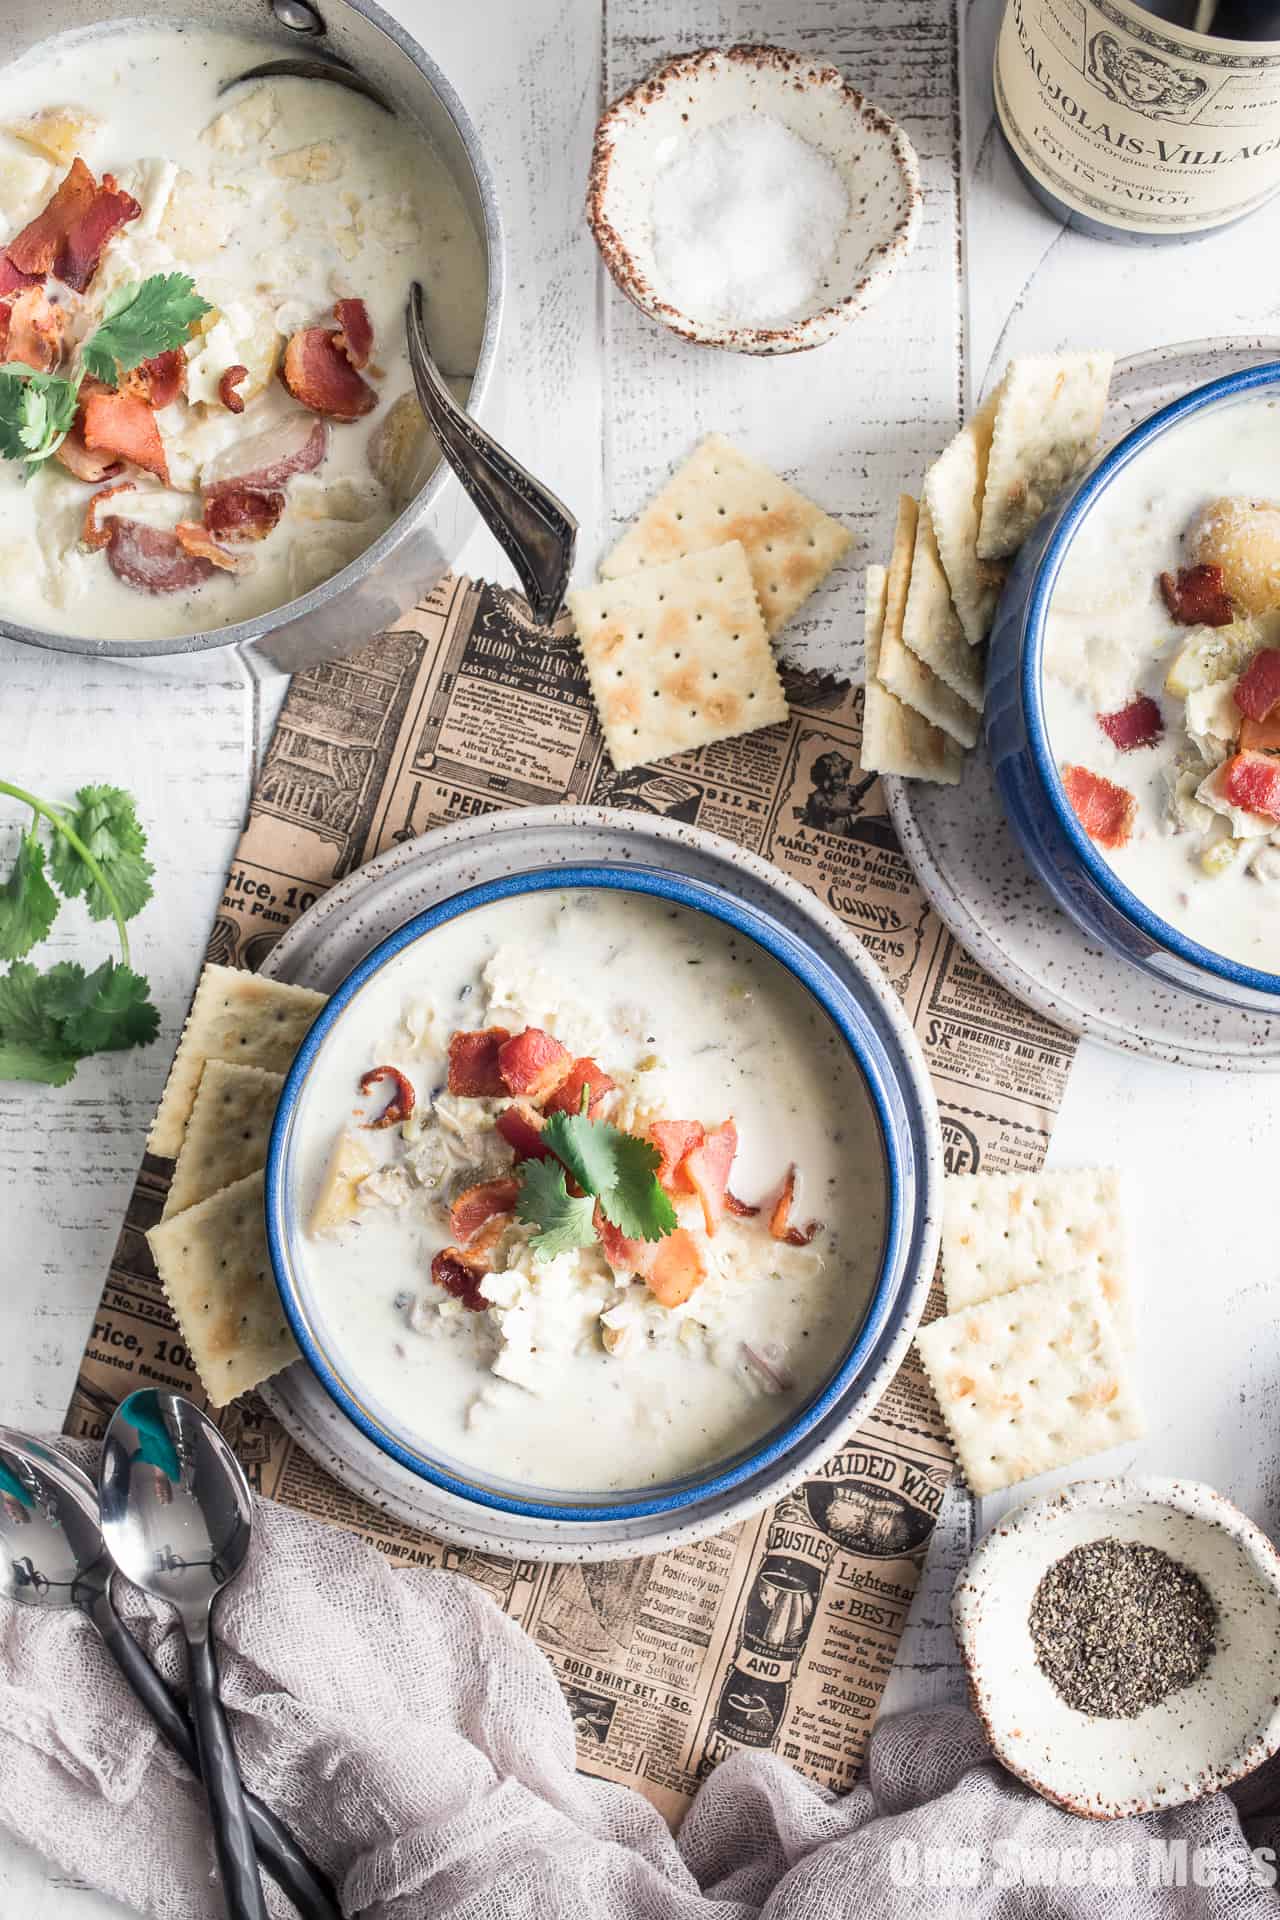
(176, 1518)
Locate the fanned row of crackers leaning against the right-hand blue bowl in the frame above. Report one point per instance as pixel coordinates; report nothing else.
(930, 613)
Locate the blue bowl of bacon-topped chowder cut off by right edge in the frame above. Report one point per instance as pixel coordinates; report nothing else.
(1135, 696)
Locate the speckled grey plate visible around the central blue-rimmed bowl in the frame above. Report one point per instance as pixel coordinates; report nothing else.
(362, 911)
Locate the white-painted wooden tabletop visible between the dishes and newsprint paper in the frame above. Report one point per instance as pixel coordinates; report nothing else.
(604, 404)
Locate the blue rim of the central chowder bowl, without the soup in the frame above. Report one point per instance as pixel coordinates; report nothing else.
(845, 1017)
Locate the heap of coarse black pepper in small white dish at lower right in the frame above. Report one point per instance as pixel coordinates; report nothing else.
(1118, 1627)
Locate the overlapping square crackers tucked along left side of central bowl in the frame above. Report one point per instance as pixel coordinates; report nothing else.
(214, 1122)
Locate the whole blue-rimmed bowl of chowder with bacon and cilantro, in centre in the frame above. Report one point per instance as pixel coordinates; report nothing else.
(592, 1197)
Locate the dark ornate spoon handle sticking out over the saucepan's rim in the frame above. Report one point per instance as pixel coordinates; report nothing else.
(533, 527)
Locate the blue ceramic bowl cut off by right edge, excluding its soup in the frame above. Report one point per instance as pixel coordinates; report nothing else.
(1055, 842)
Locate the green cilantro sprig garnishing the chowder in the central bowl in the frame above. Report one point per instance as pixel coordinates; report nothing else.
(613, 1168)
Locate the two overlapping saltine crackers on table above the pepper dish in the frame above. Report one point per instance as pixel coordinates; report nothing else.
(1031, 1364)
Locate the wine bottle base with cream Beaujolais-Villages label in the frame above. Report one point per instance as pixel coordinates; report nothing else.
(1135, 122)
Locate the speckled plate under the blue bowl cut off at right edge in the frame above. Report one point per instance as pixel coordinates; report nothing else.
(974, 873)
